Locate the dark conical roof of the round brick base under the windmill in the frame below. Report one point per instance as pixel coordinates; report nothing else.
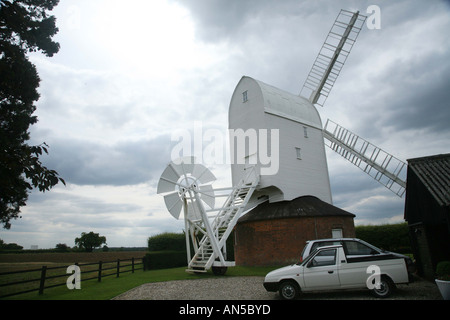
(306, 206)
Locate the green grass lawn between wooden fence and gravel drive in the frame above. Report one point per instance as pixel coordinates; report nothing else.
(113, 286)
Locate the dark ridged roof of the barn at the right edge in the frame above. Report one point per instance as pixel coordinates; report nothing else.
(434, 173)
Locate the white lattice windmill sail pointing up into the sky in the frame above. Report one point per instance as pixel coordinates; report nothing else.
(332, 56)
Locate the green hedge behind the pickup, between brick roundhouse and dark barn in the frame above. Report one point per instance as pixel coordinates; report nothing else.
(391, 237)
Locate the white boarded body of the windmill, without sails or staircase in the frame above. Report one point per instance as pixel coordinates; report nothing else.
(302, 164)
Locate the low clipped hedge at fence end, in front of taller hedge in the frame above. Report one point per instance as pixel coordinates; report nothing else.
(164, 259)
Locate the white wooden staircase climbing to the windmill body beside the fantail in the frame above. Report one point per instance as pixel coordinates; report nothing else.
(211, 248)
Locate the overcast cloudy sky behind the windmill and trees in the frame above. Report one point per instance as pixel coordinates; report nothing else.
(130, 74)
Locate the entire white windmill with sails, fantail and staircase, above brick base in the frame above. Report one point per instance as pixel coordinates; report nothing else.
(289, 128)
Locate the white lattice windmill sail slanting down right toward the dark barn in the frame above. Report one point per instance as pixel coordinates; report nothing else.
(380, 165)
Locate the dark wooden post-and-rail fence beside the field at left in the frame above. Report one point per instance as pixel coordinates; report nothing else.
(103, 269)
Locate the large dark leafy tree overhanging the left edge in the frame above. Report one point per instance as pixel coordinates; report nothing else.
(25, 26)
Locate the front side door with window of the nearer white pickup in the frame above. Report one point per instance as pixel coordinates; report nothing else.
(321, 272)
